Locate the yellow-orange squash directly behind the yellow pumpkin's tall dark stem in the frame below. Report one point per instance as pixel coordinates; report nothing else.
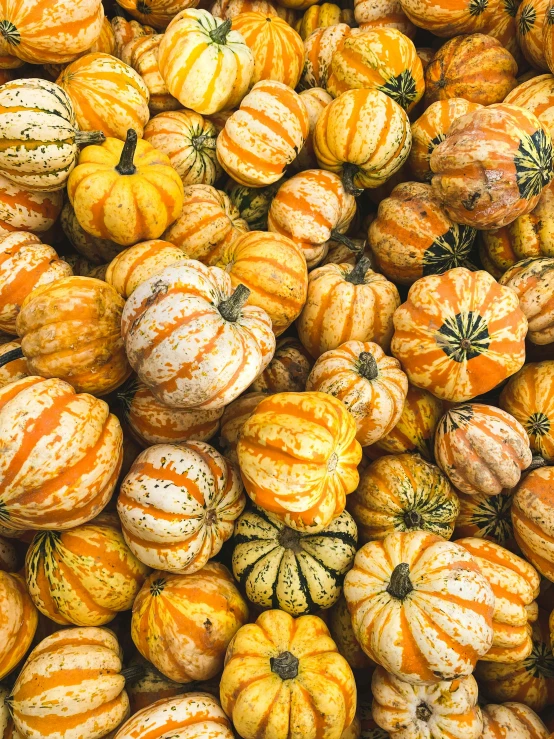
(106, 94)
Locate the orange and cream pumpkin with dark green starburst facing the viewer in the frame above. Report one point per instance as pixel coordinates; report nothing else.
(466, 342)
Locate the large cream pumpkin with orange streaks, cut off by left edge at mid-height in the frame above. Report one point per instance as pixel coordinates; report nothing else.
(62, 455)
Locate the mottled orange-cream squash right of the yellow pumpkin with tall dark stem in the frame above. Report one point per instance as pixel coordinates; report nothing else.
(208, 222)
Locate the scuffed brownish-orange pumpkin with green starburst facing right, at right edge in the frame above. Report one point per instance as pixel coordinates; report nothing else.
(502, 139)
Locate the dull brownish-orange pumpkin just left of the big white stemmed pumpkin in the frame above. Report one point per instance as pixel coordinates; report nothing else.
(70, 329)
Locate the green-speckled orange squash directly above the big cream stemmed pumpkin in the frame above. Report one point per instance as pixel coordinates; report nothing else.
(402, 492)
